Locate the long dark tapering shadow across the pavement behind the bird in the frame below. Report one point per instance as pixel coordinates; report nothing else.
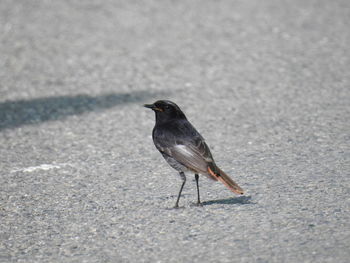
(23, 112)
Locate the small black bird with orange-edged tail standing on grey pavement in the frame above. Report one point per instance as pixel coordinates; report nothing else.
(184, 148)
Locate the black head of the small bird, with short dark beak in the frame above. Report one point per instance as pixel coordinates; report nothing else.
(166, 110)
